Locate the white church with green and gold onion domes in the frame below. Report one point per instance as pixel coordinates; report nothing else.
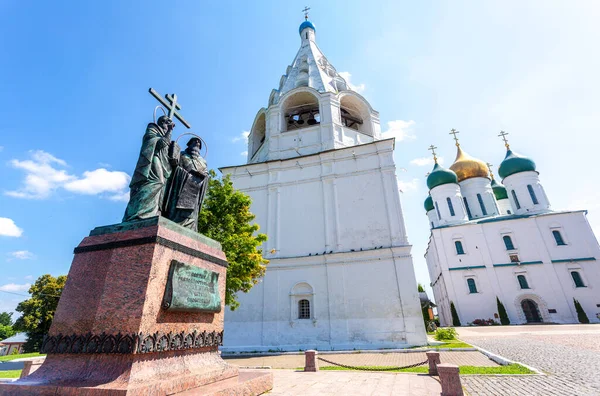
(494, 242)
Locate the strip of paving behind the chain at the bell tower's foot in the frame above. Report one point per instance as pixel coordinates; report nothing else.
(365, 359)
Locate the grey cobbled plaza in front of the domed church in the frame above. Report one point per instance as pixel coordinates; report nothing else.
(567, 353)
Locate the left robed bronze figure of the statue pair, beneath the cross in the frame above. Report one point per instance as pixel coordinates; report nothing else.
(153, 168)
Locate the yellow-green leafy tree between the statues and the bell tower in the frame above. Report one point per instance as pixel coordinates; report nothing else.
(226, 218)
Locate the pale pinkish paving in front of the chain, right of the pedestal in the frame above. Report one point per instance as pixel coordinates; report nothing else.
(346, 383)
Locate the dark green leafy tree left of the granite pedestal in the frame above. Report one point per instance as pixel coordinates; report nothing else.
(37, 312)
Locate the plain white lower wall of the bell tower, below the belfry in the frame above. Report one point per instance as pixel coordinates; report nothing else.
(344, 203)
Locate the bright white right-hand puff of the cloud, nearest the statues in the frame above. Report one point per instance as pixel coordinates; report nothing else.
(99, 181)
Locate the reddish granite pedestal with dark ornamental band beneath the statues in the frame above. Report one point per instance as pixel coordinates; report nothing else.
(111, 334)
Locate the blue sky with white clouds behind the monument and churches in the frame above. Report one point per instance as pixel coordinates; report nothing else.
(74, 102)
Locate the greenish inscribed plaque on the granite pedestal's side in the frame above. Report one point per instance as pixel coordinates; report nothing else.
(191, 289)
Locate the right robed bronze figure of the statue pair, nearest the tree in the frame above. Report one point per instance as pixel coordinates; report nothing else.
(187, 187)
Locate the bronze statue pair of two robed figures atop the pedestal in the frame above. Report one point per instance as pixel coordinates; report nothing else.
(167, 182)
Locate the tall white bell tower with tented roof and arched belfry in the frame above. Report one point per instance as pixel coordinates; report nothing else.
(324, 190)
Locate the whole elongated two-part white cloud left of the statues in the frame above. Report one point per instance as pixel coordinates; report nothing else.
(43, 176)
